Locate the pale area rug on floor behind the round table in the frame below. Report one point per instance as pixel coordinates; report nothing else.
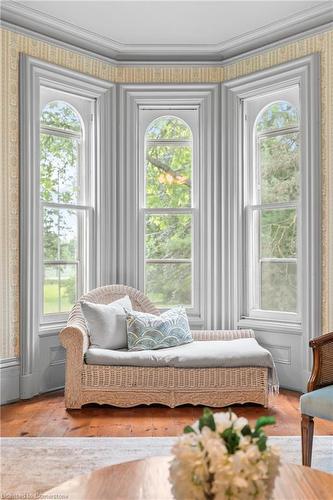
(30, 466)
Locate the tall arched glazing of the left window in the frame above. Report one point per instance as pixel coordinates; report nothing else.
(63, 210)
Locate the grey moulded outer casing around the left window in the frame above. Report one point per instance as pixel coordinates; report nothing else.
(34, 74)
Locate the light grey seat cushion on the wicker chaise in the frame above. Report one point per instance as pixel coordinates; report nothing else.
(202, 354)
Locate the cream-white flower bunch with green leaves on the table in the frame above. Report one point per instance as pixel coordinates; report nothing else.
(220, 457)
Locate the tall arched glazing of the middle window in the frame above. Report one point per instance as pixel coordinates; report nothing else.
(168, 211)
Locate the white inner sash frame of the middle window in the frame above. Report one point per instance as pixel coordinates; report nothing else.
(189, 115)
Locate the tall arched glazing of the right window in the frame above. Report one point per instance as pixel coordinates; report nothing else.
(274, 207)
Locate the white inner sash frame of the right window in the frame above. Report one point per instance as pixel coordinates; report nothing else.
(252, 109)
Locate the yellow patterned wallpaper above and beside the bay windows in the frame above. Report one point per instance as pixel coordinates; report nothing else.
(11, 46)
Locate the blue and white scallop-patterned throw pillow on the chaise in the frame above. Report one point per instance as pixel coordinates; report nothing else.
(147, 331)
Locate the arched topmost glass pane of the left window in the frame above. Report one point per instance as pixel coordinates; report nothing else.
(60, 115)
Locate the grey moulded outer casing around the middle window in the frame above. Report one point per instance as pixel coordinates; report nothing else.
(205, 97)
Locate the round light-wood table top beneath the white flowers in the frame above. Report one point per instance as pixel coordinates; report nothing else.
(148, 480)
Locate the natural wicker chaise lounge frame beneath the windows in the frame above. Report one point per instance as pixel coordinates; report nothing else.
(127, 386)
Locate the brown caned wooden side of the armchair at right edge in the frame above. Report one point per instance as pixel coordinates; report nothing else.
(322, 369)
